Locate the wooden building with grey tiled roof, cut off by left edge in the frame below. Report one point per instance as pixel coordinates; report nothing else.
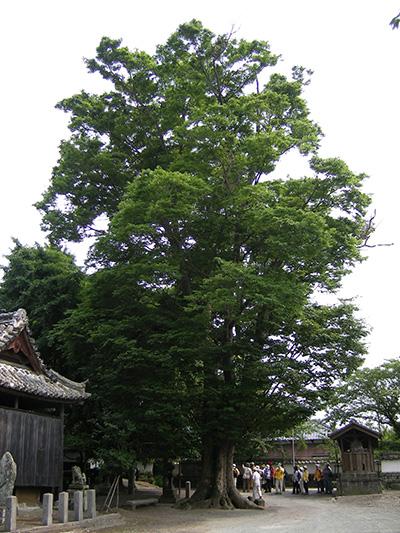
(32, 400)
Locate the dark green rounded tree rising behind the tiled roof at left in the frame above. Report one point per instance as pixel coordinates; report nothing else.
(46, 282)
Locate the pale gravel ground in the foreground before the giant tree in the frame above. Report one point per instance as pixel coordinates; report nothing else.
(283, 514)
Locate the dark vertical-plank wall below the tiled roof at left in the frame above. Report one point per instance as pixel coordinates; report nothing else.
(36, 443)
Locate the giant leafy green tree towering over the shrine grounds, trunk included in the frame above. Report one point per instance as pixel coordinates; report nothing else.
(219, 258)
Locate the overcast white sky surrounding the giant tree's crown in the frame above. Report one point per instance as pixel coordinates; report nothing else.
(354, 96)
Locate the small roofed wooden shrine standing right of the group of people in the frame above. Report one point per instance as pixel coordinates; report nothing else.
(357, 443)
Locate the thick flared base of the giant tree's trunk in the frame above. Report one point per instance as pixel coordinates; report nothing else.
(216, 487)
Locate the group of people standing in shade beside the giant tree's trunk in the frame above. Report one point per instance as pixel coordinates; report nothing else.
(257, 478)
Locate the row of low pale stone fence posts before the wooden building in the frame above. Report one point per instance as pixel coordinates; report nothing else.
(10, 519)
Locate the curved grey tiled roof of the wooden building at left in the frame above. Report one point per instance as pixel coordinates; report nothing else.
(45, 383)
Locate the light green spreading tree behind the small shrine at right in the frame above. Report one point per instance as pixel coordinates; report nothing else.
(371, 395)
